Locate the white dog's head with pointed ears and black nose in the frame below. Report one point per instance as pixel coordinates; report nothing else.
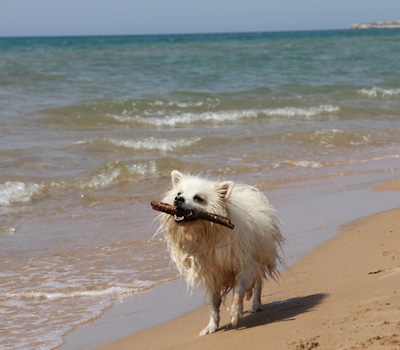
(193, 192)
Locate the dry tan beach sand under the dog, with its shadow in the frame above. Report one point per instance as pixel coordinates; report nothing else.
(343, 295)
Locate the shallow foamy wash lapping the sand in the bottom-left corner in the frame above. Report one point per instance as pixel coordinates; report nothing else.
(20, 307)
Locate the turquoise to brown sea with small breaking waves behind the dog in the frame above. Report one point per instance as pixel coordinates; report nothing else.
(90, 128)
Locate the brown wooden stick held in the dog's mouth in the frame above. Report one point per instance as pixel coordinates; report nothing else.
(191, 214)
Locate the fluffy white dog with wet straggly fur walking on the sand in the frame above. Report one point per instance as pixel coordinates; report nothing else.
(219, 258)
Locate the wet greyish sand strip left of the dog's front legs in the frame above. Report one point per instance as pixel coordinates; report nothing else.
(134, 314)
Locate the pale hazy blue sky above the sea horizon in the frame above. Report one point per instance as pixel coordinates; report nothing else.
(136, 17)
